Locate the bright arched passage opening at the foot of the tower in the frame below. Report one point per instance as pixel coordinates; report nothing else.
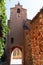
(16, 56)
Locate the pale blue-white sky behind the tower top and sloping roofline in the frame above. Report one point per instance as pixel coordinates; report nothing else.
(32, 6)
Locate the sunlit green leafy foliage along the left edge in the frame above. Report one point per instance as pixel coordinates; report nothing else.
(3, 24)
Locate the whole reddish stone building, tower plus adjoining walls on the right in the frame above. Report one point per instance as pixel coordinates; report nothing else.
(25, 34)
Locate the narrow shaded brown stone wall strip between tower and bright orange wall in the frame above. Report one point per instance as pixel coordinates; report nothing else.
(28, 50)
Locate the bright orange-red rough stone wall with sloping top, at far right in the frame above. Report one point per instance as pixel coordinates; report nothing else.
(37, 40)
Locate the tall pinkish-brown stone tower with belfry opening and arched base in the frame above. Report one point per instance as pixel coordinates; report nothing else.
(15, 37)
